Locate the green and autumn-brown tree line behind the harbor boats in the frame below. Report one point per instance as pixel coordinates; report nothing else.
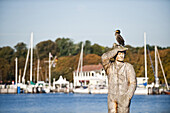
(68, 53)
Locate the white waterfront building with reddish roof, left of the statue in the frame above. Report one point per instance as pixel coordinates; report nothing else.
(91, 75)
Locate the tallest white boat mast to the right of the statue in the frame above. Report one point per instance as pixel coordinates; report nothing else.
(145, 56)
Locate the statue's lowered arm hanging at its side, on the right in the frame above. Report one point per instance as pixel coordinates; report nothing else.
(132, 81)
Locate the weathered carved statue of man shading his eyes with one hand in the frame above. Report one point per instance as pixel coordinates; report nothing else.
(122, 80)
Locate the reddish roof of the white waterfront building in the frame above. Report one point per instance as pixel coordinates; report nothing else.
(91, 68)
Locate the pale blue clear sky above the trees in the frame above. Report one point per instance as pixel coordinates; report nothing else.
(80, 20)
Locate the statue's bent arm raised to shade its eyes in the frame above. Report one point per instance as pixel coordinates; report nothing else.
(106, 60)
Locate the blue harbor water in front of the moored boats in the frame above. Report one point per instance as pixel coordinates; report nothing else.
(78, 103)
